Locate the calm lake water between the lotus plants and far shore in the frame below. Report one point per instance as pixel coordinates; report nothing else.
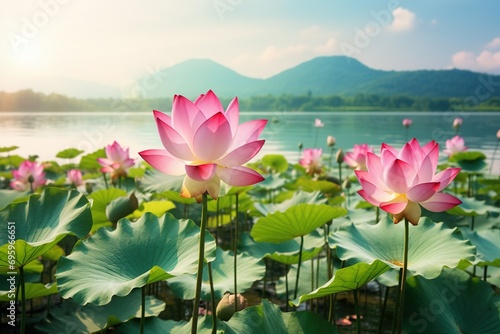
(46, 133)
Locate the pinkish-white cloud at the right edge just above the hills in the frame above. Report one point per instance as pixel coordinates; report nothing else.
(486, 61)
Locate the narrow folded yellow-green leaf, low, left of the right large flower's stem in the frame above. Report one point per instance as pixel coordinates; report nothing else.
(346, 279)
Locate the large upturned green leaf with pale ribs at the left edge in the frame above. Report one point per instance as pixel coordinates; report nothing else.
(41, 222)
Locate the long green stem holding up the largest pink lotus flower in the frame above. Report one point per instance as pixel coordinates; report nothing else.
(201, 260)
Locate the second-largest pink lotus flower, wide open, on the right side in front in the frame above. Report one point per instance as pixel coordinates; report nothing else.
(399, 182)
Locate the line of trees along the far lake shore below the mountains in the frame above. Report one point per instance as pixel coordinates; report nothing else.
(28, 100)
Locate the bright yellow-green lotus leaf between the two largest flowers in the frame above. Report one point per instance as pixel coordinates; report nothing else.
(298, 220)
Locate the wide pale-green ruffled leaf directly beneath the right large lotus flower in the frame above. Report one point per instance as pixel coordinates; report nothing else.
(431, 245)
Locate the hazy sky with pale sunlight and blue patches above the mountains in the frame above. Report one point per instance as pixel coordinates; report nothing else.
(114, 42)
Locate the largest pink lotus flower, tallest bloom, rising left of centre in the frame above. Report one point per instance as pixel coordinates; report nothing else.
(206, 144)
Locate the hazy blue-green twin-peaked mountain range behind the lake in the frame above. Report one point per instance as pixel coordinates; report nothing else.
(334, 75)
